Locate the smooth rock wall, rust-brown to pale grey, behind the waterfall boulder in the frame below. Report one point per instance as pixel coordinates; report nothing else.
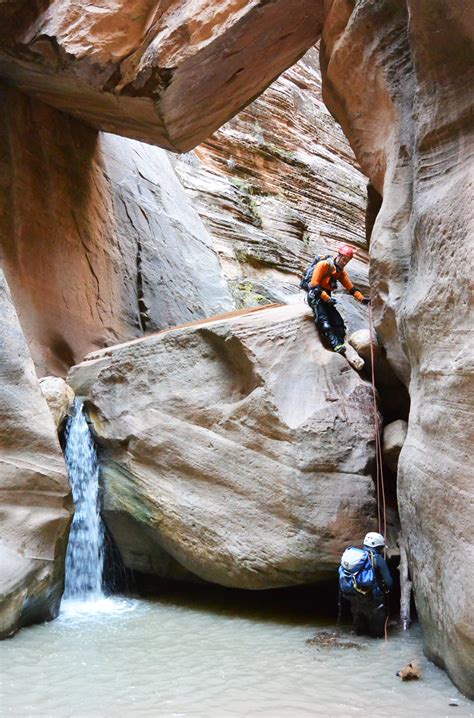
(114, 249)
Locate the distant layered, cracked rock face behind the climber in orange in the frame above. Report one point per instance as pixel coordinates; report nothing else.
(277, 184)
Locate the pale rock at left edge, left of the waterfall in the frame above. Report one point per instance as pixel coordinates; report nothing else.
(35, 503)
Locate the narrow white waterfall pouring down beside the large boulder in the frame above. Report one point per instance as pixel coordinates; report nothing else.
(85, 551)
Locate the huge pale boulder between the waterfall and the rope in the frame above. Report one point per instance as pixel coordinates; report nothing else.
(239, 446)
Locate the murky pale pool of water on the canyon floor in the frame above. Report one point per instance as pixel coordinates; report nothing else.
(124, 657)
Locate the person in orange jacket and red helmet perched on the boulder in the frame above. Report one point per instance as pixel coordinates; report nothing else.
(319, 281)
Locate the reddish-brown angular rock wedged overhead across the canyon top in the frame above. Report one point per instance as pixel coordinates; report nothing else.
(163, 72)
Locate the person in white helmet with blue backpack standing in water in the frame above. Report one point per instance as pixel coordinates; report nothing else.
(365, 581)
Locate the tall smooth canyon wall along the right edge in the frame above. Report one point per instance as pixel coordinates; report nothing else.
(404, 100)
